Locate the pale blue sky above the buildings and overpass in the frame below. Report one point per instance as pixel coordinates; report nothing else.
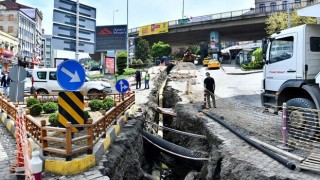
(142, 12)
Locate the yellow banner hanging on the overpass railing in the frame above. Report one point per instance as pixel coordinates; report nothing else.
(157, 28)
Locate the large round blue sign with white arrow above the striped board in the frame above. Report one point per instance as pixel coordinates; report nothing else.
(71, 75)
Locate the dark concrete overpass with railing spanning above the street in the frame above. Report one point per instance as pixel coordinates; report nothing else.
(241, 25)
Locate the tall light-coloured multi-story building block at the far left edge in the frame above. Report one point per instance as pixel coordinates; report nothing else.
(24, 23)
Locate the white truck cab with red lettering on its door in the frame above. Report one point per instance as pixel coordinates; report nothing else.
(292, 62)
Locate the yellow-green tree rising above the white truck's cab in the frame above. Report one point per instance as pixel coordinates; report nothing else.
(279, 21)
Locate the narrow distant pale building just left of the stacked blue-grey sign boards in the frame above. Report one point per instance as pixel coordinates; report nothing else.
(47, 52)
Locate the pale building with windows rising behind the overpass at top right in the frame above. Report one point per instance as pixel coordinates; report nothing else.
(278, 5)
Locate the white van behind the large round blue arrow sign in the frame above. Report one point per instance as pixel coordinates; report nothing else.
(45, 82)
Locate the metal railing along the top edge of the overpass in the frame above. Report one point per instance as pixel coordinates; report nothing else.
(263, 10)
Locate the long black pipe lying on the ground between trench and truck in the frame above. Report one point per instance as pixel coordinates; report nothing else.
(272, 155)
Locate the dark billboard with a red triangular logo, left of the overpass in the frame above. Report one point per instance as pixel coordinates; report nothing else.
(111, 38)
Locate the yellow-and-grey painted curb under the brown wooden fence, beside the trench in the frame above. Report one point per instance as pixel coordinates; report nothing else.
(79, 165)
